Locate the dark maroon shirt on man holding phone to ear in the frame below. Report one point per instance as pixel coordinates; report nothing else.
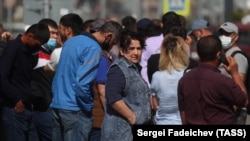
(207, 96)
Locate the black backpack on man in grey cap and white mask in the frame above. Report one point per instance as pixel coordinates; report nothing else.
(247, 80)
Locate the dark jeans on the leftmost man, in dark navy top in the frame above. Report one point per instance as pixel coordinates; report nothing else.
(18, 126)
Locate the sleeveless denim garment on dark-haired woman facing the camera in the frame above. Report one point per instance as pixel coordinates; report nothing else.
(136, 96)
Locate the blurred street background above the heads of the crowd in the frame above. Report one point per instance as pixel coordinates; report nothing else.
(16, 14)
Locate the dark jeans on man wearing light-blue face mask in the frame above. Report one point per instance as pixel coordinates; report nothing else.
(43, 123)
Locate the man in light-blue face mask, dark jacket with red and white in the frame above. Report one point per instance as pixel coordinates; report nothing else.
(41, 85)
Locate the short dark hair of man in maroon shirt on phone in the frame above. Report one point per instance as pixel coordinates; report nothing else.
(208, 47)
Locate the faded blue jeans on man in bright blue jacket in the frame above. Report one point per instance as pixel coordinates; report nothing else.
(71, 125)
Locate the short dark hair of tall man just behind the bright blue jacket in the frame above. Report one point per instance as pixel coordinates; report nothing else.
(74, 21)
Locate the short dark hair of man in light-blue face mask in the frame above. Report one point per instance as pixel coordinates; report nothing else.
(40, 32)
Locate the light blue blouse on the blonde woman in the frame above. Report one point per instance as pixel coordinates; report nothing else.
(164, 86)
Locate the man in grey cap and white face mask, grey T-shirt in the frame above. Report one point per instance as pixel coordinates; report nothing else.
(228, 34)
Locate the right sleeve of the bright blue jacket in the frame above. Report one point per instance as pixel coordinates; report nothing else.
(85, 75)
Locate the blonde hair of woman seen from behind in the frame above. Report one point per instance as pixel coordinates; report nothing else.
(173, 54)
